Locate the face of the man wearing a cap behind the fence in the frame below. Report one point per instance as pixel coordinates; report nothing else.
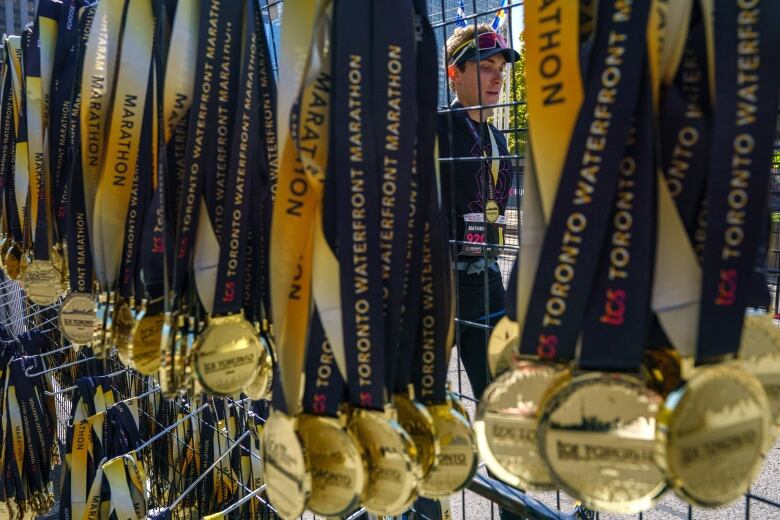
(480, 85)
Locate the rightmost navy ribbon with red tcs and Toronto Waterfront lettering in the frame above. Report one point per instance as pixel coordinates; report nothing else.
(741, 153)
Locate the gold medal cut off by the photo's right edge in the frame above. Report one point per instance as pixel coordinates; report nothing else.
(759, 352)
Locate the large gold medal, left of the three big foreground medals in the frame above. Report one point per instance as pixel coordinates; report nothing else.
(506, 423)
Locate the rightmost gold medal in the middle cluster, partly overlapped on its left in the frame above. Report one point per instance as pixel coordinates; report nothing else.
(457, 461)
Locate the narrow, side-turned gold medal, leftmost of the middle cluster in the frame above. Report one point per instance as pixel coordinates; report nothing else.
(286, 466)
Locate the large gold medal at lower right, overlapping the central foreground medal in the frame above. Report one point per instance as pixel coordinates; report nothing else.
(713, 433)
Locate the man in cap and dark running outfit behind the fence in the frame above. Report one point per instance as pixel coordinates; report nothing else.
(476, 189)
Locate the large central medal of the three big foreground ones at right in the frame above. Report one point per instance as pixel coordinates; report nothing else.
(597, 435)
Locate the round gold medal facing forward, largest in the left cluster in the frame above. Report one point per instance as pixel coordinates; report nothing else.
(227, 354)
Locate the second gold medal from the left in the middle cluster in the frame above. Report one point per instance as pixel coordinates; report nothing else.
(338, 468)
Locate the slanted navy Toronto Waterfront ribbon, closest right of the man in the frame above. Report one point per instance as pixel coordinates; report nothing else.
(577, 227)
